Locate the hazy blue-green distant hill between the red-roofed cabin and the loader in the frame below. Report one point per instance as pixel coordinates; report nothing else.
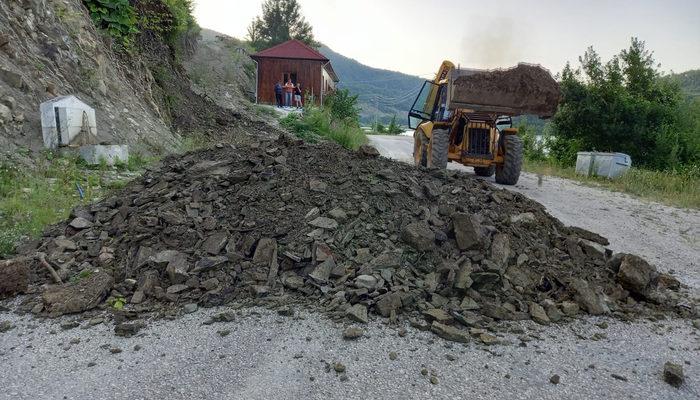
(382, 93)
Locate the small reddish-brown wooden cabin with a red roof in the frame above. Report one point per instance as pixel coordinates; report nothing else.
(297, 61)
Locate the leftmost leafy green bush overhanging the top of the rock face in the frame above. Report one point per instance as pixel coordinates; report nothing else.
(116, 17)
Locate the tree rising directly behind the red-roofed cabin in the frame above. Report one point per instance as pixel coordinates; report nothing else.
(281, 20)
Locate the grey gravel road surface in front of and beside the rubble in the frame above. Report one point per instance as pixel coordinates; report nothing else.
(267, 356)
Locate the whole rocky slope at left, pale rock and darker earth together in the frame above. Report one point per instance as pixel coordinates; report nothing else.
(142, 96)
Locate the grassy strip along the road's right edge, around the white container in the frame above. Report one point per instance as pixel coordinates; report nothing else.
(680, 189)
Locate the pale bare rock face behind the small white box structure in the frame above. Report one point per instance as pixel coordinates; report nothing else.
(51, 48)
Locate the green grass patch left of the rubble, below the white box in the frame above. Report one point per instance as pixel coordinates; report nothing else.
(32, 198)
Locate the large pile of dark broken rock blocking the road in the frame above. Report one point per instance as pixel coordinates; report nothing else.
(348, 234)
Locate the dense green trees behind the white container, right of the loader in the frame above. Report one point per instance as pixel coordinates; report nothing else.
(623, 106)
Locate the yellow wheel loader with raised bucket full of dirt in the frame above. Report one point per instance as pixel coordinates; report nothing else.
(464, 116)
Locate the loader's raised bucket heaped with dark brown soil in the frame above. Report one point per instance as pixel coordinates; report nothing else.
(524, 89)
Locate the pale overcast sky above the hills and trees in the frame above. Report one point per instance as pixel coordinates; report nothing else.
(413, 36)
